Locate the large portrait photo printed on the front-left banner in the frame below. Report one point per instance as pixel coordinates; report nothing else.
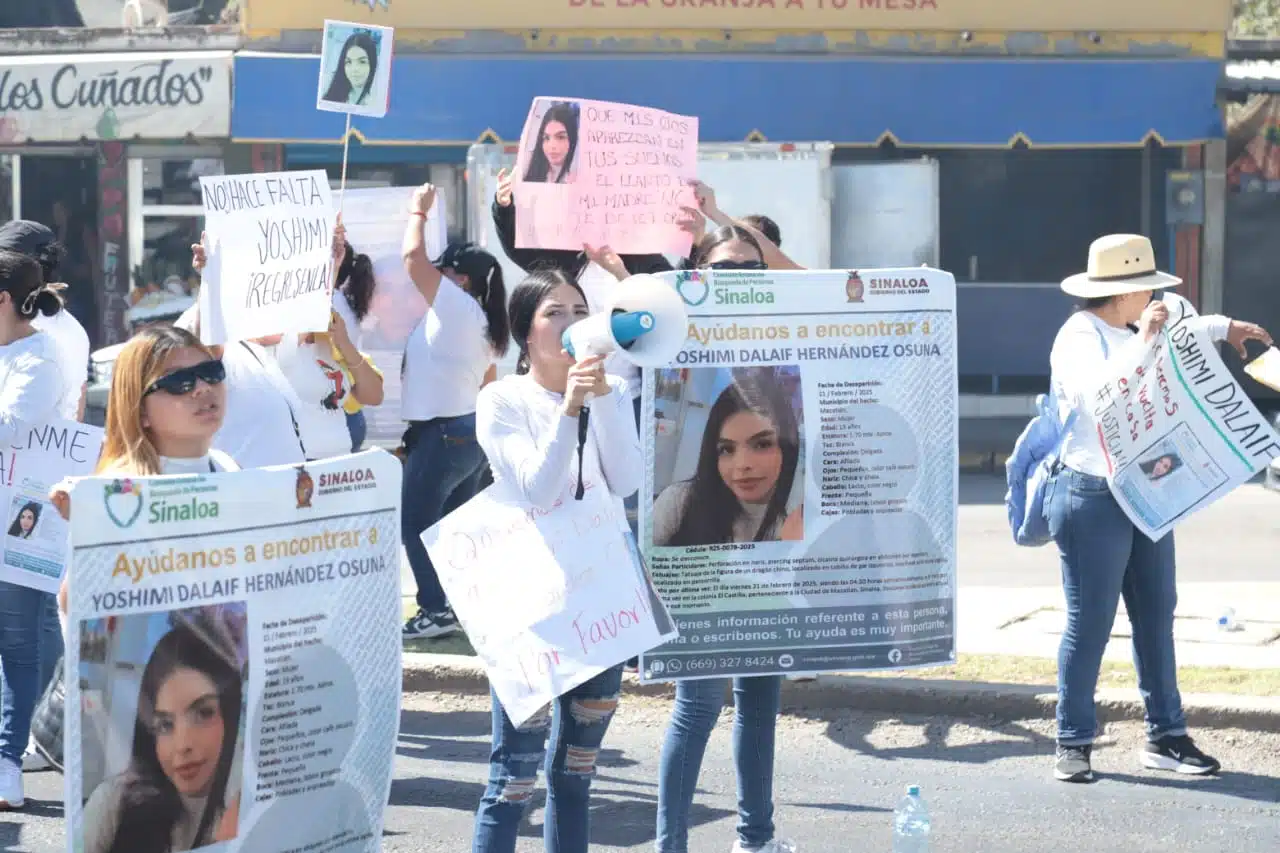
(163, 728)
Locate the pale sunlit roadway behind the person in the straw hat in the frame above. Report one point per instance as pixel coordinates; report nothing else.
(1232, 541)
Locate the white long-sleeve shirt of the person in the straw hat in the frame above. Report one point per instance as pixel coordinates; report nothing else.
(1080, 362)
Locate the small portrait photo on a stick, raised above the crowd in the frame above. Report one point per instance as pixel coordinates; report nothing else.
(355, 69)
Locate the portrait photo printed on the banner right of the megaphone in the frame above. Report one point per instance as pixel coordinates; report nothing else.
(729, 457)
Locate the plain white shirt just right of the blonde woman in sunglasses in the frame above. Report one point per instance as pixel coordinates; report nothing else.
(258, 428)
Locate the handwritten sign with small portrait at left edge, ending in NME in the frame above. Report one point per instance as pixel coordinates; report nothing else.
(36, 545)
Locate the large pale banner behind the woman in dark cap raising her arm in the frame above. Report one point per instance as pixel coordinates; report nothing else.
(376, 220)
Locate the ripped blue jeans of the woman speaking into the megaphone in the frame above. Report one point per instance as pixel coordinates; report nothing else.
(565, 737)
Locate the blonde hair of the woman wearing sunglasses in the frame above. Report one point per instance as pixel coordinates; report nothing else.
(127, 449)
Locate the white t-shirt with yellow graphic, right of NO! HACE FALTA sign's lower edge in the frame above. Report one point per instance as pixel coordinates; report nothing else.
(322, 389)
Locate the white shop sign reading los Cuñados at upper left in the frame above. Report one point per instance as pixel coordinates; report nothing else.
(116, 97)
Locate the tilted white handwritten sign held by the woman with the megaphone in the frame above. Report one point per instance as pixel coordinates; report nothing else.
(548, 599)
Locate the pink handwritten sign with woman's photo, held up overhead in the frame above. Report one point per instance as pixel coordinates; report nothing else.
(606, 175)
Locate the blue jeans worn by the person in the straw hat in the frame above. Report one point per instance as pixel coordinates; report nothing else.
(1105, 558)
